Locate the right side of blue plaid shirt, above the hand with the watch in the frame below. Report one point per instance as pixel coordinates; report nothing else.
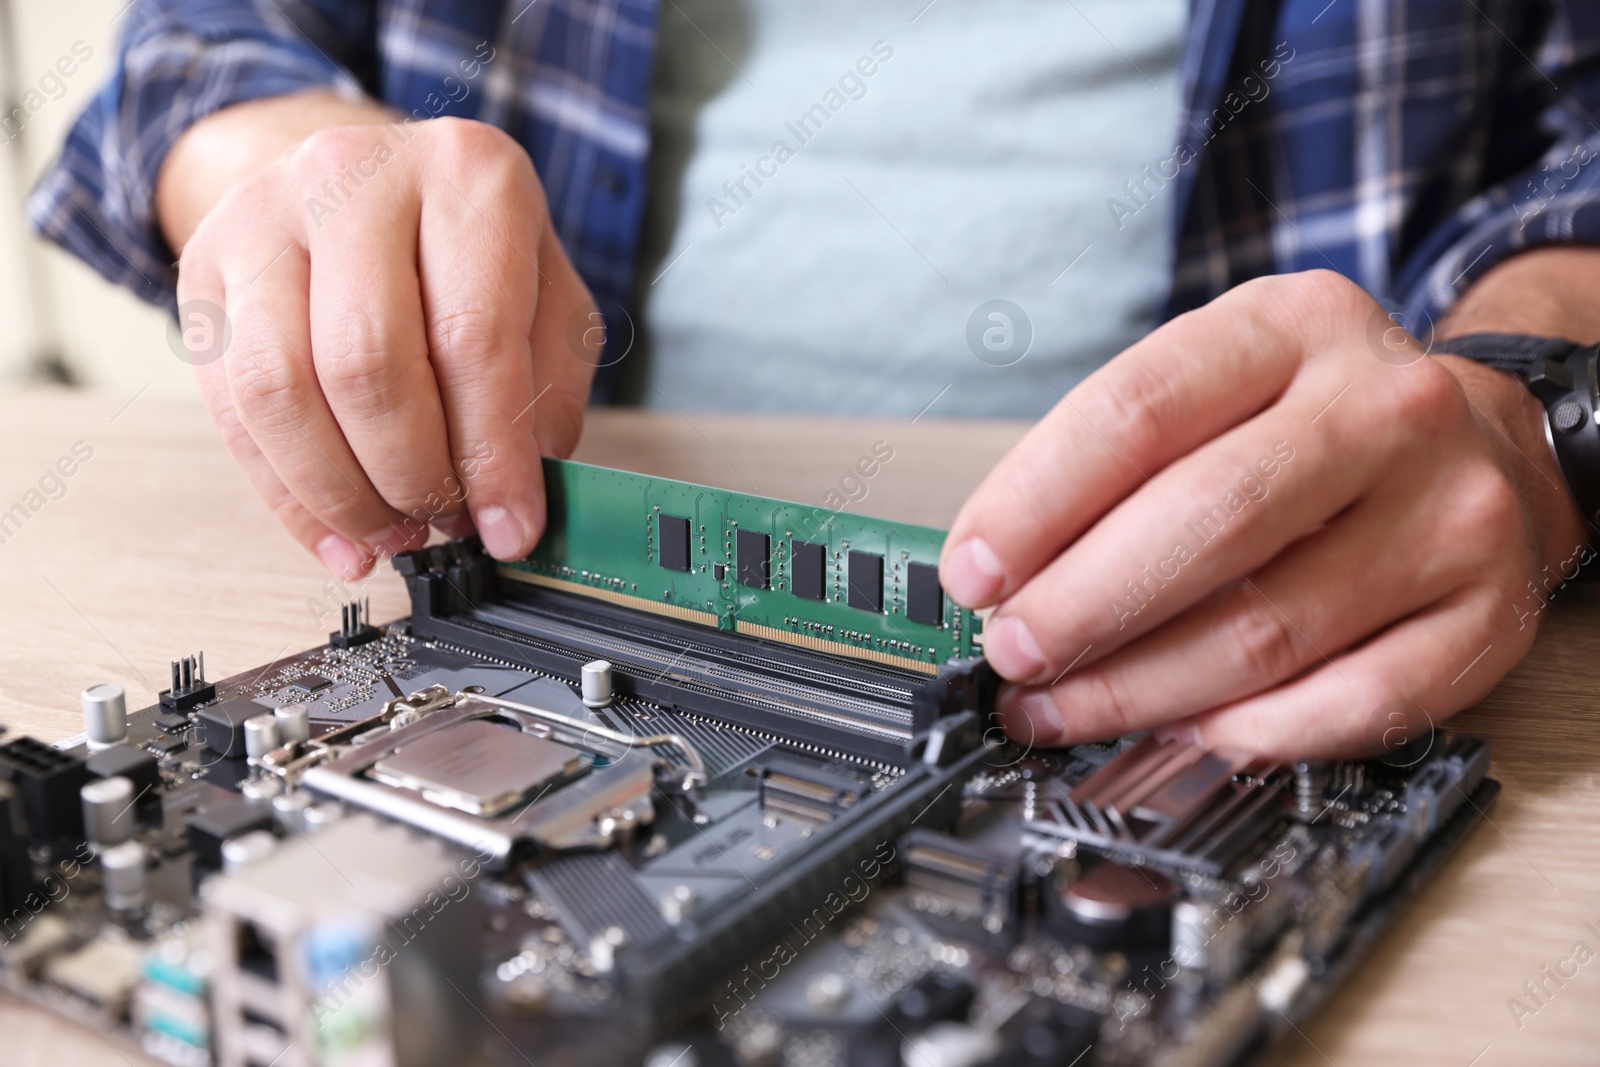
(1409, 145)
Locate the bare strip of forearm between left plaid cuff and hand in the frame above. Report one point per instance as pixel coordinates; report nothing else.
(231, 145)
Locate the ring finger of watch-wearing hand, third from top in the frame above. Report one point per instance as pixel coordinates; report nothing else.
(1314, 601)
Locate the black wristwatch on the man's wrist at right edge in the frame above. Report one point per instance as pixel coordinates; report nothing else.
(1564, 377)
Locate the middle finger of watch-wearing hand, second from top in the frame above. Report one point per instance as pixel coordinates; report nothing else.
(1222, 513)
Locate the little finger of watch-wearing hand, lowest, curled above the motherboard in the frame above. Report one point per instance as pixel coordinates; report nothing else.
(1442, 660)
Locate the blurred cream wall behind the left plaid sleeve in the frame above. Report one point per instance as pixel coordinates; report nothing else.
(57, 316)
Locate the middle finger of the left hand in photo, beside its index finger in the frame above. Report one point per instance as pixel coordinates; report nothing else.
(369, 337)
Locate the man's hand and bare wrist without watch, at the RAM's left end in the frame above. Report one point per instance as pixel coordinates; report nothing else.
(399, 313)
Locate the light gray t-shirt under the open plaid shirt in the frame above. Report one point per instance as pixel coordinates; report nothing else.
(860, 207)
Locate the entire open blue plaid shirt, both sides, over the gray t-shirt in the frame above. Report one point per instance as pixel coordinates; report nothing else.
(1409, 145)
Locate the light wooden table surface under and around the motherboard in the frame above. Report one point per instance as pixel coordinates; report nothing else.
(156, 548)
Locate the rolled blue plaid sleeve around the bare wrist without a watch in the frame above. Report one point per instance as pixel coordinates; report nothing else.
(180, 62)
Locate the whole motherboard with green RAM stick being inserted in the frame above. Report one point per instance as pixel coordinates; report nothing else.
(706, 781)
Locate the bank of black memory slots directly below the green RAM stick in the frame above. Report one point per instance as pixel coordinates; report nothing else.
(828, 701)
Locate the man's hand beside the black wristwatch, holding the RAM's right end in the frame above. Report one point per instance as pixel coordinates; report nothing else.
(1262, 527)
